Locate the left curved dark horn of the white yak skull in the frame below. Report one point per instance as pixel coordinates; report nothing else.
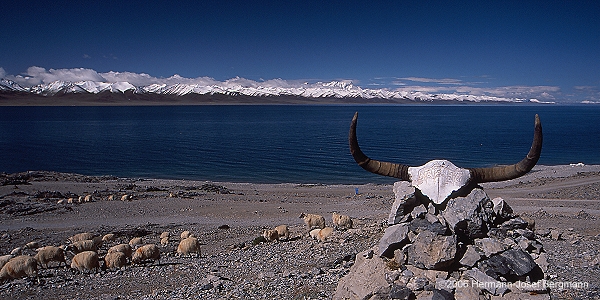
(374, 166)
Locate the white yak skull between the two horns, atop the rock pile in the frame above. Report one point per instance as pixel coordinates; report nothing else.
(437, 179)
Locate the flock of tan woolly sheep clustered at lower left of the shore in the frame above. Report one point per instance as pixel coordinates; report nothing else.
(85, 249)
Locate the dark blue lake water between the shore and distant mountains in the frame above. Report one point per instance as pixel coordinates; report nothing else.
(285, 143)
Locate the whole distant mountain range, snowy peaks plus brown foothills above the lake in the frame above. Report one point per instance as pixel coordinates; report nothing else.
(334, 91)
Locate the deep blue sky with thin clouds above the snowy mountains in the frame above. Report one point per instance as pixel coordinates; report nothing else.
(543, 49)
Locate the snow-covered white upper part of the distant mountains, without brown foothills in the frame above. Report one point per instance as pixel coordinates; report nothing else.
(333, 89)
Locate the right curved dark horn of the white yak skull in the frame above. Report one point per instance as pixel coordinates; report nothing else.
(501, 173)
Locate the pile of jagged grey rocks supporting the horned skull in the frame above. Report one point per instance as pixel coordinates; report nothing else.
(467, 247)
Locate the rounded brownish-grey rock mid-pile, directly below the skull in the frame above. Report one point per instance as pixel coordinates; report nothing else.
(432, 251)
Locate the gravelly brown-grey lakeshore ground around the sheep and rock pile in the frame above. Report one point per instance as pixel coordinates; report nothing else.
(227, 217)
